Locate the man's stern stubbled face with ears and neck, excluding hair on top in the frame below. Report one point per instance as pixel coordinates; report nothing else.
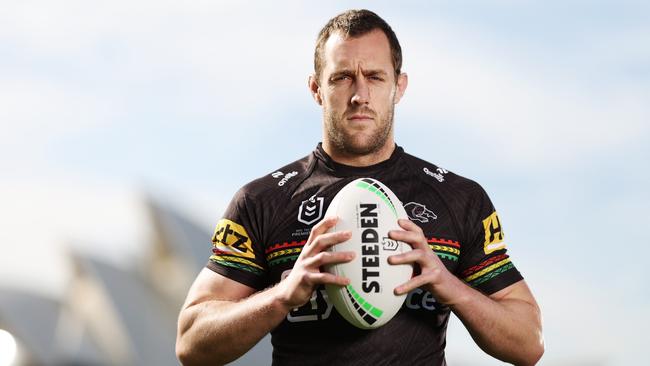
(358, 91)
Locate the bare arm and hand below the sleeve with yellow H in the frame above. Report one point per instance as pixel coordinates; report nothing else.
(506, 325)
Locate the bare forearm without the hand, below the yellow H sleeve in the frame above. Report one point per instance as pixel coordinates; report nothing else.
(509, 329)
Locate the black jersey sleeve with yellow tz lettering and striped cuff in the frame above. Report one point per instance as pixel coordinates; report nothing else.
(237, 252)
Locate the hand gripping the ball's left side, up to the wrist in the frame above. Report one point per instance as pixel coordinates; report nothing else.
(307, 274)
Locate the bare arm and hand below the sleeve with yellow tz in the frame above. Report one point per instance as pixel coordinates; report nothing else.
(222, 319)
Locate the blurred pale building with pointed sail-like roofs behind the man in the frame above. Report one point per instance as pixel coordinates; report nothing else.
(111, 315)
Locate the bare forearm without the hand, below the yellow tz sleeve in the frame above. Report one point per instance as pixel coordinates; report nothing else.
(222, 319)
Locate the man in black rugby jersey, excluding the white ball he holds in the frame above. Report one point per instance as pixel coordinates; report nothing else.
(265, 272)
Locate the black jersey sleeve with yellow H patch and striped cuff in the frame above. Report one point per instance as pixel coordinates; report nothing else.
(484, 263)
